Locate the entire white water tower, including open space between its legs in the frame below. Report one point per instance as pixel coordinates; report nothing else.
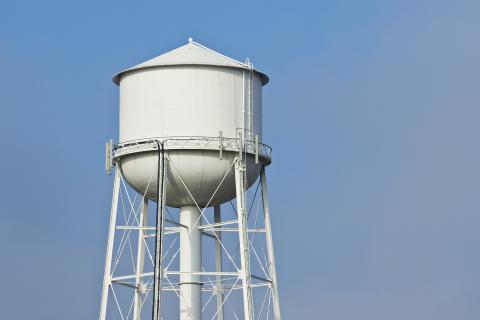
(190, 142)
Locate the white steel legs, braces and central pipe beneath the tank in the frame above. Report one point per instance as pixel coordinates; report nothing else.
(191, 250)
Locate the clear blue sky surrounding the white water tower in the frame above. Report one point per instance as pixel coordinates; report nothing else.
(373, 112)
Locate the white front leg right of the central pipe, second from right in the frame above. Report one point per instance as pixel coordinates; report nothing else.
(243, 239)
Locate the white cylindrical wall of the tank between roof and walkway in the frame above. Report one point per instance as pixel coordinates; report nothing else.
(183, 100)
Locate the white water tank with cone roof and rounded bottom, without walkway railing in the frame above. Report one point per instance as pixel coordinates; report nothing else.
(188, 97)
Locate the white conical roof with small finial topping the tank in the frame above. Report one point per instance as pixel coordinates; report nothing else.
(193, 53)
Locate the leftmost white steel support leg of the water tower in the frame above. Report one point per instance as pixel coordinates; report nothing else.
(110, 241)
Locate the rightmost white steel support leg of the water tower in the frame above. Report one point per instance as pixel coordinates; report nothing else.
(271, 257)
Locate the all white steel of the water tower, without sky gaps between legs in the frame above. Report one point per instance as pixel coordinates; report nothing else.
(205, 111)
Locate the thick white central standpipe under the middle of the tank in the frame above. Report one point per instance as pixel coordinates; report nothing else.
(190, 264)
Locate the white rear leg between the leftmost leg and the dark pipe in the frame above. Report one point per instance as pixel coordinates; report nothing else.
(140, 290)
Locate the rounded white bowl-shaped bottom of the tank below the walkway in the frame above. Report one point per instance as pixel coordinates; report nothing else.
(200, 170)
